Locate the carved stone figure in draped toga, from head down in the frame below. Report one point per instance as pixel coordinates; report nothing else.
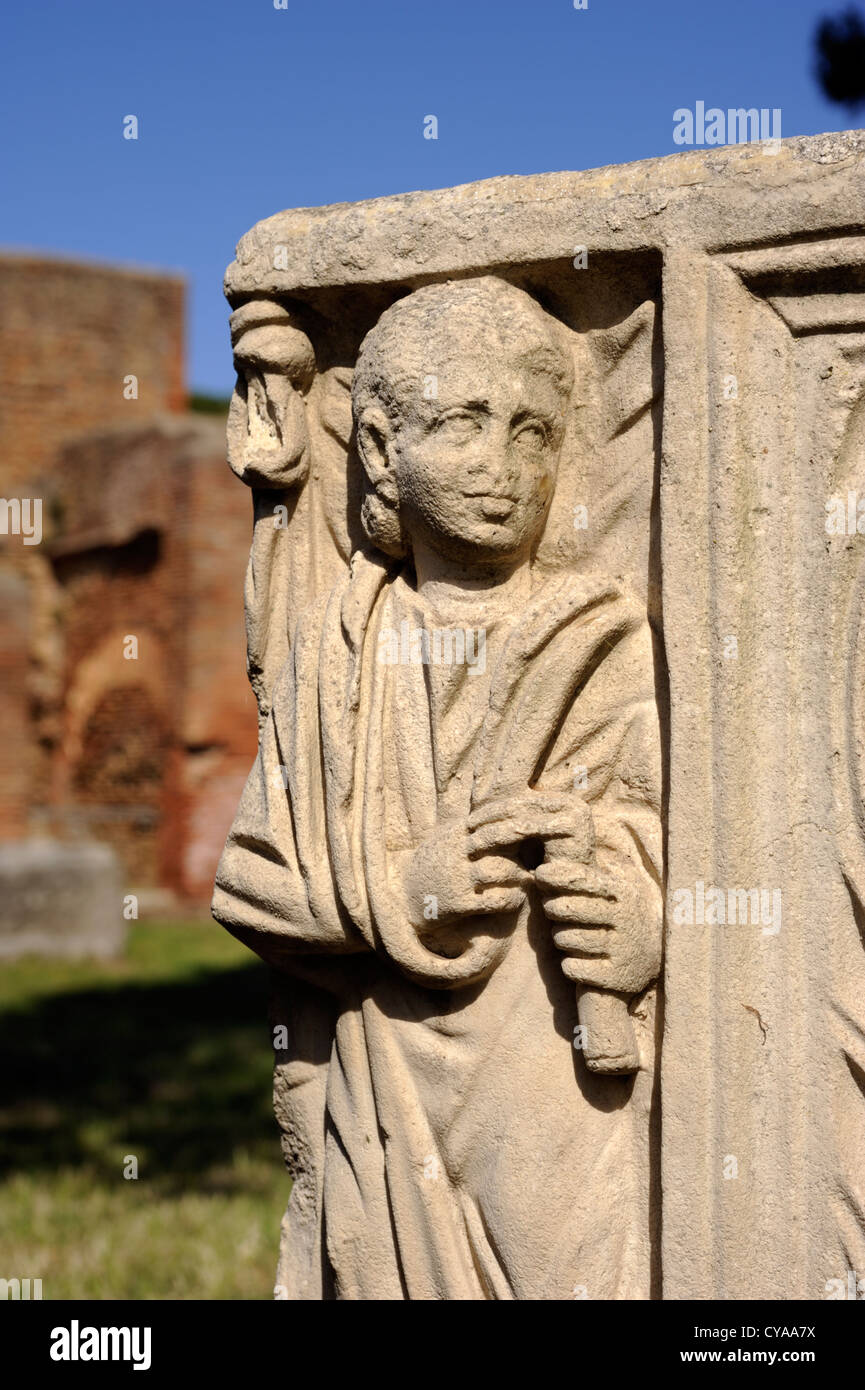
(447, 849)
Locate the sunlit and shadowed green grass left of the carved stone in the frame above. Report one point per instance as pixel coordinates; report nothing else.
(163, 1056)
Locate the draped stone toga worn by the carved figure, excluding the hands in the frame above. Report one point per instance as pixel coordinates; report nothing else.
(446, 1136)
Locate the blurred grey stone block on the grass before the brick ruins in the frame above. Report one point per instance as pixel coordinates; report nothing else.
(60, 900)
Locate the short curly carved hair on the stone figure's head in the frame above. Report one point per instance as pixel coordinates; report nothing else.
(401, 352)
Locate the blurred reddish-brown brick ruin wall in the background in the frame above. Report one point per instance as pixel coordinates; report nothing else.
(145, 536)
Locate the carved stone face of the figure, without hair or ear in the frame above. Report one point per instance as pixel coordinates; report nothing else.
(476, 466)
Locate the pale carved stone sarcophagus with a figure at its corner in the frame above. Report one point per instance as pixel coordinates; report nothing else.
(557, 835)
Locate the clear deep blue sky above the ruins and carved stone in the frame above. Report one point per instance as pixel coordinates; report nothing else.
(245, 111)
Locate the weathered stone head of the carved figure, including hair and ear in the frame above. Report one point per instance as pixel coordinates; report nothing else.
(460, 400)
